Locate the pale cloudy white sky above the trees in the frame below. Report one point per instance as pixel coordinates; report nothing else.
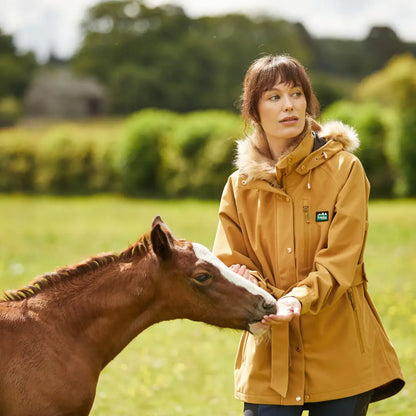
(46, 26)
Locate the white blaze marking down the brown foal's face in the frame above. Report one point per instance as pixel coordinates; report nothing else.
(204, 254)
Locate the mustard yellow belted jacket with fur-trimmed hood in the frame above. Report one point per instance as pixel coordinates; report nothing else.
(300, 226)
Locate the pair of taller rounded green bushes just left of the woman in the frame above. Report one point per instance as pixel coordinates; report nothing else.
(178, 155)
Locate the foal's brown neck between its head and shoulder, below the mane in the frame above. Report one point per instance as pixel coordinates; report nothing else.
(107, 309)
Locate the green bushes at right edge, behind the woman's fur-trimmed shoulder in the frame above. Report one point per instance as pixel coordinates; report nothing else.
(387, 146)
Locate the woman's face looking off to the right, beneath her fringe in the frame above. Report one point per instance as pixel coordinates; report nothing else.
(282, 111)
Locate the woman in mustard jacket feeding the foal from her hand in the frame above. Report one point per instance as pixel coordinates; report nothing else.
(293, 218)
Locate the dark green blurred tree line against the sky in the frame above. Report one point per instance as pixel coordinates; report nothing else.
(160, 57)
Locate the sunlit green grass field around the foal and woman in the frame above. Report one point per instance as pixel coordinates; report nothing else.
(181, 367)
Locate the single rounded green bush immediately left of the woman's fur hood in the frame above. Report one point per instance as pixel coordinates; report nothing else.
(196, 158)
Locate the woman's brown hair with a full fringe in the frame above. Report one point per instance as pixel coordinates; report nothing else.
(262, 76)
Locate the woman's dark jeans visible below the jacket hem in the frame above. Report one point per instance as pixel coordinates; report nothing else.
(349, 406)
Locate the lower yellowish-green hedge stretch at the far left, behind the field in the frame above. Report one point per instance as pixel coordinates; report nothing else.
(58, 159)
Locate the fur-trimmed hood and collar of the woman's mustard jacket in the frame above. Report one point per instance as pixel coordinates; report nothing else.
(254, 161)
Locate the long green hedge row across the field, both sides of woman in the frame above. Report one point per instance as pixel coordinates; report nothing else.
(161, 153)
